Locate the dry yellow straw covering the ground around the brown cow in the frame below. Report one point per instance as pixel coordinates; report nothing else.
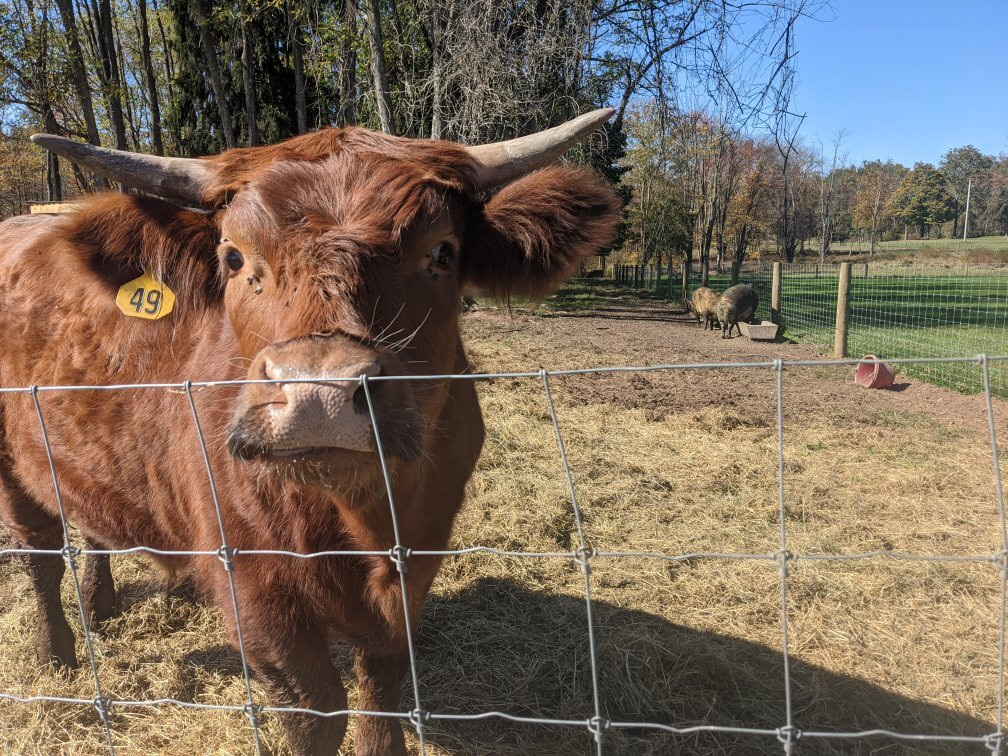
(673, 463)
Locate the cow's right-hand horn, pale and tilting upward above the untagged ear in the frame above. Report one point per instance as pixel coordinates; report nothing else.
(501, 163)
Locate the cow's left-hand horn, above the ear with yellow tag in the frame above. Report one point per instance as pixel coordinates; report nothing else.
(178, 179)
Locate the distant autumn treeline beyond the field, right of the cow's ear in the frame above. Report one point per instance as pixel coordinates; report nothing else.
(704, 186)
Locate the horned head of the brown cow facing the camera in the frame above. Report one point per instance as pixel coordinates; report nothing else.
(346, 253)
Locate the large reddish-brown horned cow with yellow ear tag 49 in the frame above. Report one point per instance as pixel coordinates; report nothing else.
(337, 255)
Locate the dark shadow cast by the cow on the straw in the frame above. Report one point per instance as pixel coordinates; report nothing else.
(497, 646)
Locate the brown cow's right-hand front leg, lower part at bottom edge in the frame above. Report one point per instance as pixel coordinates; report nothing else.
(380, 688)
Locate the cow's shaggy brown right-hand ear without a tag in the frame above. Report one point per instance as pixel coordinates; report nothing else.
(533, 235)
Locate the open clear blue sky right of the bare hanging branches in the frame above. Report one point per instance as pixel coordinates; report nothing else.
(909, 80)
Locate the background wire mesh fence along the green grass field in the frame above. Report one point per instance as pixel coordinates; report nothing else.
(912, 311)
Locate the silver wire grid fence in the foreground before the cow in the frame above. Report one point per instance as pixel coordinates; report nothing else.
(790, 731)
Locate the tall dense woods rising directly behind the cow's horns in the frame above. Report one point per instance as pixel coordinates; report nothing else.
(196, 77)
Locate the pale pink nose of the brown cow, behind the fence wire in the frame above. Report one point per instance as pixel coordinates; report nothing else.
(320, 412)
